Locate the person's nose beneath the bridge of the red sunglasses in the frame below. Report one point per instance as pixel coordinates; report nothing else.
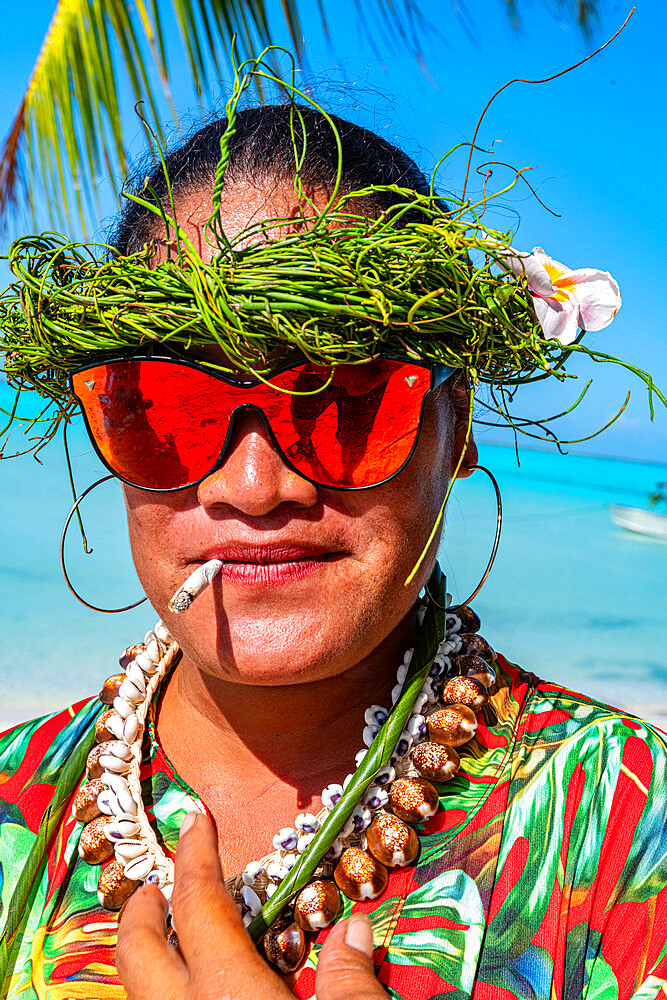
(253, 478)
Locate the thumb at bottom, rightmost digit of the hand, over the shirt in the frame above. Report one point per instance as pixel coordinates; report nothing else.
(345, 969)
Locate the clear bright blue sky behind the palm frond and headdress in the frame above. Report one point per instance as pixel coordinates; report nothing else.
(596, 138)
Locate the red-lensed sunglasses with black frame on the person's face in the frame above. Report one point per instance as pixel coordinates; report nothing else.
(165, 424)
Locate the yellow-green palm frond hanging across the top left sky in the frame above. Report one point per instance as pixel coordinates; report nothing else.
(66, 136)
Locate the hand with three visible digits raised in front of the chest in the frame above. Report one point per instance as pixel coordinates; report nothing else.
(216, 959)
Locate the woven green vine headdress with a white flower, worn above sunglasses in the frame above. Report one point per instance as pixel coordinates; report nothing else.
(421, 280)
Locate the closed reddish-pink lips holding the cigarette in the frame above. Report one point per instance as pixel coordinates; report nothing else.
(270, 564)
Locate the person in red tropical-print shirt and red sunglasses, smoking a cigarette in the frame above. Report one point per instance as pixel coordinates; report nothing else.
(538, 870)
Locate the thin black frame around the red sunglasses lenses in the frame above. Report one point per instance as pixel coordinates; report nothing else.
(439, 375)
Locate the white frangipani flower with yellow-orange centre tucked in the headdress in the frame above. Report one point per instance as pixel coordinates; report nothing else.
(566, 300)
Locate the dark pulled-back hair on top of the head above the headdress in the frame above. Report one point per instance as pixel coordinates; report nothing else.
(262, 149)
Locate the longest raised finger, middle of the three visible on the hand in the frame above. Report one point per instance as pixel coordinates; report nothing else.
(207, 922)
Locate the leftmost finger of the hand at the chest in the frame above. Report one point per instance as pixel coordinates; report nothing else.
(147, 964)
